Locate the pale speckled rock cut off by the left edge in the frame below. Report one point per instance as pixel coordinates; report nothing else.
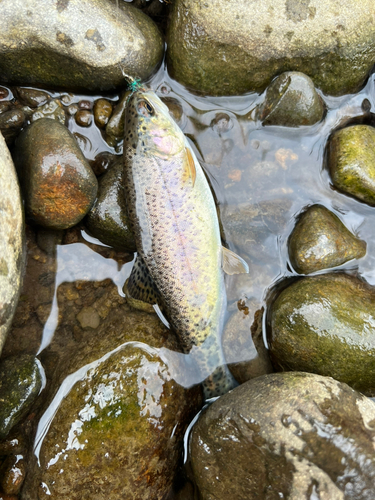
(12, 241)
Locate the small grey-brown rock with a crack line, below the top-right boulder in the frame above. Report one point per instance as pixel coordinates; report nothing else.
(291, 101)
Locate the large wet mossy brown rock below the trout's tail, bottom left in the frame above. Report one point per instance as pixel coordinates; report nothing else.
(117, 433)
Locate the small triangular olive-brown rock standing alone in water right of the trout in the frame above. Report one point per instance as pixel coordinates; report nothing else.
(320, 240)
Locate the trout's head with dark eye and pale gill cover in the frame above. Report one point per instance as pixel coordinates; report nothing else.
(150, 127)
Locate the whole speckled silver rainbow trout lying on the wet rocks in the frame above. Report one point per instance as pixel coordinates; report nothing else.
(173, 216)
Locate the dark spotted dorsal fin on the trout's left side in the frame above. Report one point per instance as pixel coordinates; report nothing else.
(140, 289)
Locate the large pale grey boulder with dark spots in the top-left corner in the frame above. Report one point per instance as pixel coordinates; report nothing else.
(76, 44)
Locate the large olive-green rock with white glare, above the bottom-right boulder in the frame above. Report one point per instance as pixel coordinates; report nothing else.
(326, 324)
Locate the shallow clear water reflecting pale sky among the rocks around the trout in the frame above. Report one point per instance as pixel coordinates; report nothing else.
(271, 173)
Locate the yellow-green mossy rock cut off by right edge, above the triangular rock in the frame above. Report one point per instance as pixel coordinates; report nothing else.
(351, 162)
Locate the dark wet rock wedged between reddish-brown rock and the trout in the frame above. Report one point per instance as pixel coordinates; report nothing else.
(108, 219)
